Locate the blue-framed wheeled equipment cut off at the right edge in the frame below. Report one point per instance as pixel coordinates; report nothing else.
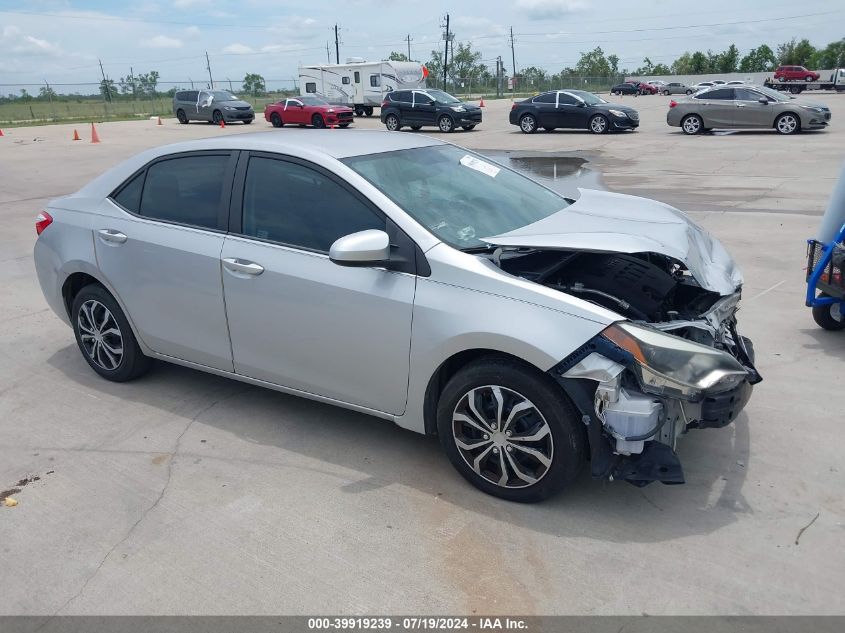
(825, 264)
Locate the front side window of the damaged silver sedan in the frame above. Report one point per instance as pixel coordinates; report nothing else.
(296, 205)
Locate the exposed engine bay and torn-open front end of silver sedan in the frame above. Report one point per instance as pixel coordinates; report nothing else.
(640, 414)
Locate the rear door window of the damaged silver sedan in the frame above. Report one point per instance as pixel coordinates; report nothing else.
(185, 190)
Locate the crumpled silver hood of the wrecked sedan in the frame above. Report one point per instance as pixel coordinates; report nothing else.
(600, 221)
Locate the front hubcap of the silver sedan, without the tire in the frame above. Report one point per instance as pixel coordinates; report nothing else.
(502, 436)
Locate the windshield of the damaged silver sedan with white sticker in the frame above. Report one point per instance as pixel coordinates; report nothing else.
(457, 195)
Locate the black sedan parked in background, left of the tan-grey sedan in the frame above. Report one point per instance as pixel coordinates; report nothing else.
(572, 109)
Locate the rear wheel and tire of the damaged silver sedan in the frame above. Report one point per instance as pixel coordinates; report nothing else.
(104, 336)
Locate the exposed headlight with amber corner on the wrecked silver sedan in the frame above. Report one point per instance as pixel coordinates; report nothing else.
(673, 367)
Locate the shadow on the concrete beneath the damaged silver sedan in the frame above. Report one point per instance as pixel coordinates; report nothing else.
(715, 461)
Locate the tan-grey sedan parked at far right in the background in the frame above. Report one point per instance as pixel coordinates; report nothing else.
(746, 107)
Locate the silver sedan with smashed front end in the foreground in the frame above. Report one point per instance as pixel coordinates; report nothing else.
(416, 281)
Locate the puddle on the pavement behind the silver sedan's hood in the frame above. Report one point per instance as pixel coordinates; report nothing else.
(564, 174)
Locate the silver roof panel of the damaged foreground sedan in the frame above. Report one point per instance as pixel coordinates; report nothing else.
(335, 143)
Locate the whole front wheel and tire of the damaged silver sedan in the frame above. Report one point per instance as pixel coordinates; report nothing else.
(510, 430)
